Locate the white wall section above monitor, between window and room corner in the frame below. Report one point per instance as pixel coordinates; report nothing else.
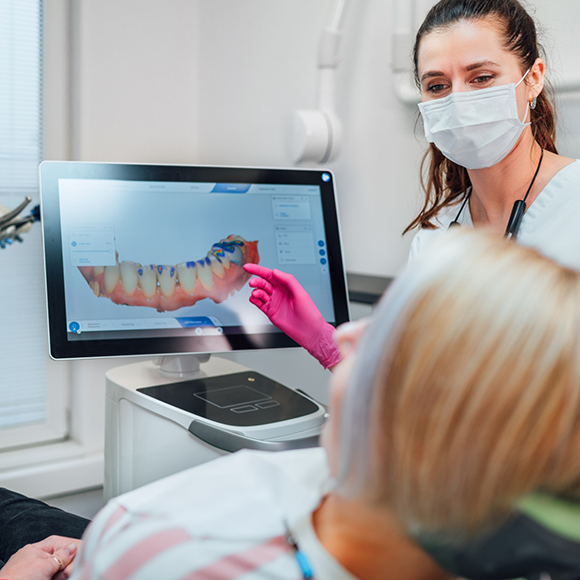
(136, 85)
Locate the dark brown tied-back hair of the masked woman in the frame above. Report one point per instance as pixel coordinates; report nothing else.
(445, 182)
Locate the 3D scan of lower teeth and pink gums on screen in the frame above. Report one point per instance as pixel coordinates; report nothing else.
(163, 287)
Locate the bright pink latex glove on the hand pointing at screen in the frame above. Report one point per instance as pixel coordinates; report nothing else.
(283, 300)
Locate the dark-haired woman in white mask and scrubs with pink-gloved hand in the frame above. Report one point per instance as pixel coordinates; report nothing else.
(492, 160)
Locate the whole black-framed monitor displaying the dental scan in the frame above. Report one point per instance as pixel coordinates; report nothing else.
(148, 259)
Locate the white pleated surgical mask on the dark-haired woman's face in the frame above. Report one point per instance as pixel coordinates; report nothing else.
(475, 129)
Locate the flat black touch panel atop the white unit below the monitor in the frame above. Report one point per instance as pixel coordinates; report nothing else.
(240, 399)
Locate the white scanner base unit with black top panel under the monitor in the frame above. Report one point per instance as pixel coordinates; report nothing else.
(157, 426)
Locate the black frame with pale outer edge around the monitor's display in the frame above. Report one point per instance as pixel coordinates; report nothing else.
(59, 345)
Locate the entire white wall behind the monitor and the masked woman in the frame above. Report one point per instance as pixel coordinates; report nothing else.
(215, 81)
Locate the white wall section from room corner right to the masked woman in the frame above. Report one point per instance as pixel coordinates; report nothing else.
(259, 65)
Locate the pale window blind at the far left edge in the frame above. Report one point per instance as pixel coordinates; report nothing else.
(23, 348)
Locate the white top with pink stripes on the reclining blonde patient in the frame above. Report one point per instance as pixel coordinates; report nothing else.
(224, 519)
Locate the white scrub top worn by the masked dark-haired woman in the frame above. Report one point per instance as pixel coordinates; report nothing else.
(551, 224)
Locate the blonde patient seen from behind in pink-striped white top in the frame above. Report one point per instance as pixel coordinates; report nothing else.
(461, 397)
